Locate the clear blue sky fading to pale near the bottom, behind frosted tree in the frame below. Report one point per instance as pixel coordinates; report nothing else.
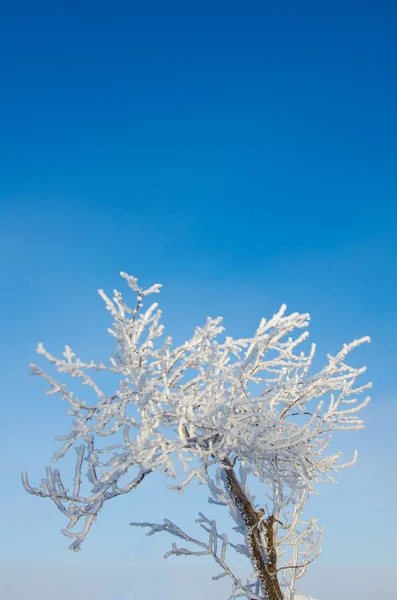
(244, 155)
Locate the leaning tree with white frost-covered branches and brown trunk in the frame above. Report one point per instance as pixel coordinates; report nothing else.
(227, 411)
